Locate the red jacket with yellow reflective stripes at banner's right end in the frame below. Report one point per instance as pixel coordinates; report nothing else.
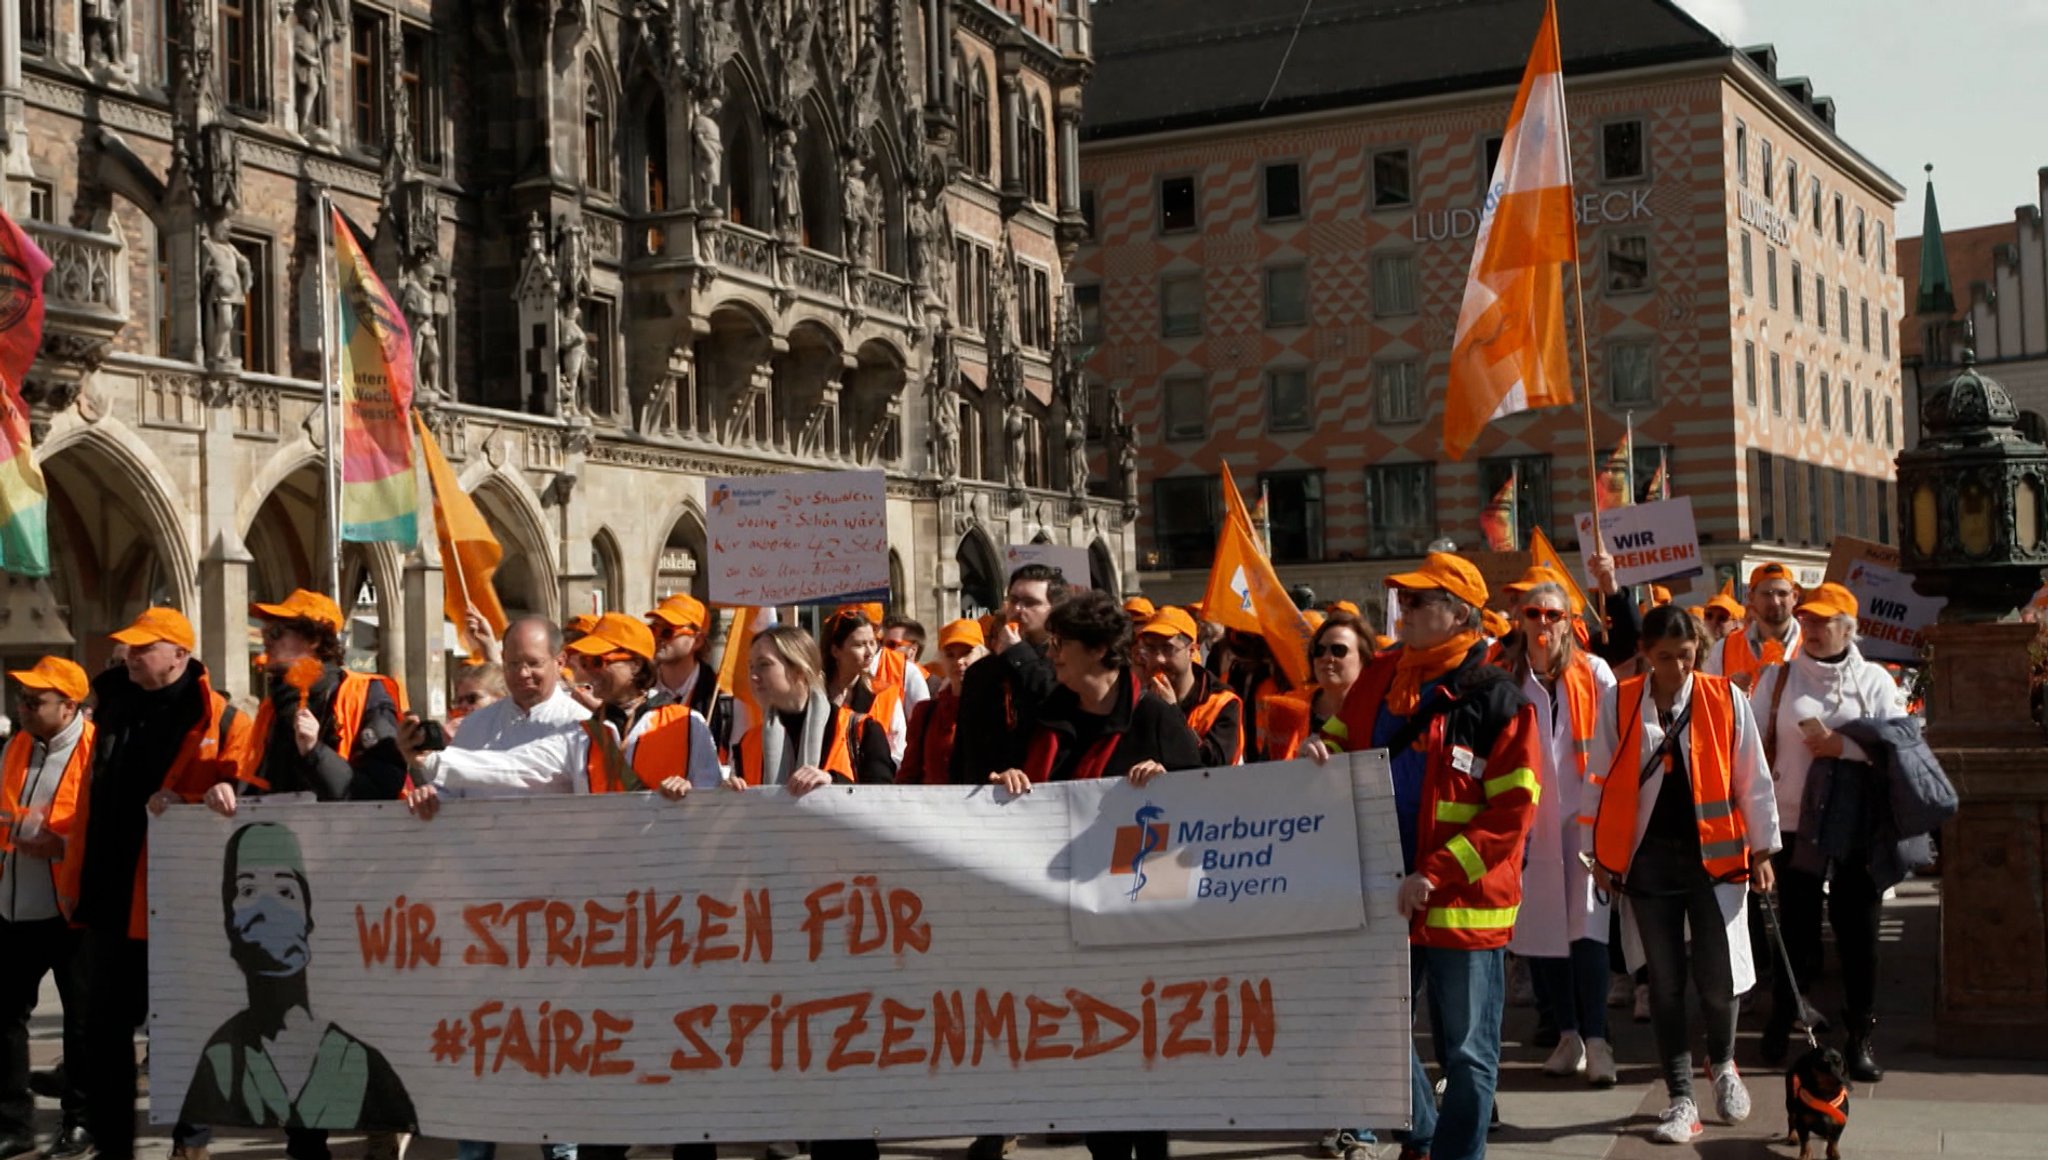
(1478, 798)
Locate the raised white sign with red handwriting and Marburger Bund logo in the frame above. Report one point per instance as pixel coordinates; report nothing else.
(798, 540)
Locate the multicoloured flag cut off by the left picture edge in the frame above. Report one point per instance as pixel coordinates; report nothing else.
(24, 495)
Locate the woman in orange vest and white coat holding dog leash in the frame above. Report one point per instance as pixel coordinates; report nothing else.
(1678, 817)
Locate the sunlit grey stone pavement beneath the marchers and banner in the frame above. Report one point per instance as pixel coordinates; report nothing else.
(1928, 1106)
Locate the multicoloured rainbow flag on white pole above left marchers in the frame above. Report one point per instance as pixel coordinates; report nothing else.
(380, 485)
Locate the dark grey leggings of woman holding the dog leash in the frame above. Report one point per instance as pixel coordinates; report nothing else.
(1680, 899)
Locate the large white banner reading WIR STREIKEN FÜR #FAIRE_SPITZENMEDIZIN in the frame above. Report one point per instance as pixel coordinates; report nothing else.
(861, 962)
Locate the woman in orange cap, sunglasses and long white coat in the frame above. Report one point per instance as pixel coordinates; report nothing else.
(1564, 923)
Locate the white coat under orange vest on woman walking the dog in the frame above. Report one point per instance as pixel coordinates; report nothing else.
(1754, 796)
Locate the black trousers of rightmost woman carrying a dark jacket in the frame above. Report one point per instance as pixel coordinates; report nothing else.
(1852, 909)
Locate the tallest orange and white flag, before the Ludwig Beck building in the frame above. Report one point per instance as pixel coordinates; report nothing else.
(1508, 354)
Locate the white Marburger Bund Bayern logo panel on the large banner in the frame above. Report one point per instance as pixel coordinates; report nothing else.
(1215, 858)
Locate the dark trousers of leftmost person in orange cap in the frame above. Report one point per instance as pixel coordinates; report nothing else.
(36, 950)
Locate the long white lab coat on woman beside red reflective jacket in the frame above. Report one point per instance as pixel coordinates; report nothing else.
(1558, 893)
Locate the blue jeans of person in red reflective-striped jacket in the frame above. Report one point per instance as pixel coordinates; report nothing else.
(1467, 991)
